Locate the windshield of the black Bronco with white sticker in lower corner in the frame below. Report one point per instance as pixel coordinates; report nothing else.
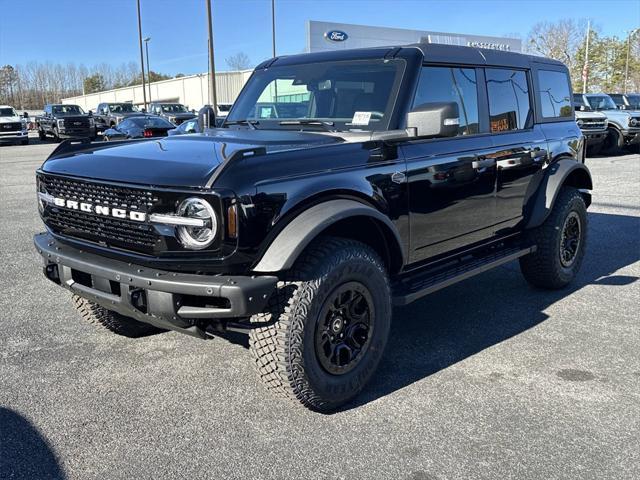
(351, 95)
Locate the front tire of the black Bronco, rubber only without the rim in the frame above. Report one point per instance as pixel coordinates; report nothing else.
(284, 351)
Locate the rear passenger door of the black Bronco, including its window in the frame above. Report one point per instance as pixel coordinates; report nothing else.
(519, 147)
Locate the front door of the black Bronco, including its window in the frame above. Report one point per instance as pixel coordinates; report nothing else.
(450, 183)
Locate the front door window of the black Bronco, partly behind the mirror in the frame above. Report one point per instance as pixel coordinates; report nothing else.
(443, 84)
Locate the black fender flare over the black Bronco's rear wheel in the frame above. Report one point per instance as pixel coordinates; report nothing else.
(555, 177)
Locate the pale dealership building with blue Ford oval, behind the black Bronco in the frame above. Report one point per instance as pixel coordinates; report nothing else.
(321, 36)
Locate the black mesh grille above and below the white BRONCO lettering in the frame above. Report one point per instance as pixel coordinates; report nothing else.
(122, 233)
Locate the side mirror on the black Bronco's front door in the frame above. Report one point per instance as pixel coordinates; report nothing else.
(440, 119)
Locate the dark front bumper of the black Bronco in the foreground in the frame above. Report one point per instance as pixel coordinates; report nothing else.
(176, 301)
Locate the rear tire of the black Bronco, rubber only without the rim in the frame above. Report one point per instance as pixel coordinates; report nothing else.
(544, 268)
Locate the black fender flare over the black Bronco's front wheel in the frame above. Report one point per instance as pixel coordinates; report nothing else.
(337, 217)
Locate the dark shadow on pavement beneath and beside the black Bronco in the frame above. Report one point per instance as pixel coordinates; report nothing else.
(462, 320)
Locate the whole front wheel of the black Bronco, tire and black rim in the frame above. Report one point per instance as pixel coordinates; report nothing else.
(324, 346)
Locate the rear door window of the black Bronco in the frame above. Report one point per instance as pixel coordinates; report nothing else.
(509, 105)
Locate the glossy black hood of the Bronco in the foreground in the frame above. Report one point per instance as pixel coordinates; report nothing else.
(176, 161)
